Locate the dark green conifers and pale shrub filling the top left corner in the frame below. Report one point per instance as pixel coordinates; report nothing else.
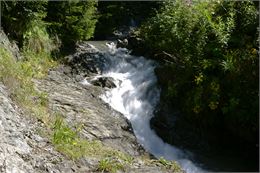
(30, 23)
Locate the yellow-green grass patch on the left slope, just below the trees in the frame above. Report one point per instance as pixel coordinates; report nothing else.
(17, 76)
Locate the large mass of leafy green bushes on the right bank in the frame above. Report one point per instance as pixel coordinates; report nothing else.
(214, 80)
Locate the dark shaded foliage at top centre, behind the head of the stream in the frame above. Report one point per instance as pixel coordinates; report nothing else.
(114, 15)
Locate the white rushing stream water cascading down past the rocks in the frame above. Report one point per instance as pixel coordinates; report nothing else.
(136, 96)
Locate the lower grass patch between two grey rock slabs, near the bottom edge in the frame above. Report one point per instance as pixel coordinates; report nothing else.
(68, 142)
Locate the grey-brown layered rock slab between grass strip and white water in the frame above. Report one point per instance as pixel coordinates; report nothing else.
(81, 105)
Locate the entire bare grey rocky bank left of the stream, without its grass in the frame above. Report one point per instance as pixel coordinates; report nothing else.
(25, 148)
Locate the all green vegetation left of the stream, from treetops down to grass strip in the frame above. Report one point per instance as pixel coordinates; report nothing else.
(36, 46)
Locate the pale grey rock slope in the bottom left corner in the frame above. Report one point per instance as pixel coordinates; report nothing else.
(21, 148)
